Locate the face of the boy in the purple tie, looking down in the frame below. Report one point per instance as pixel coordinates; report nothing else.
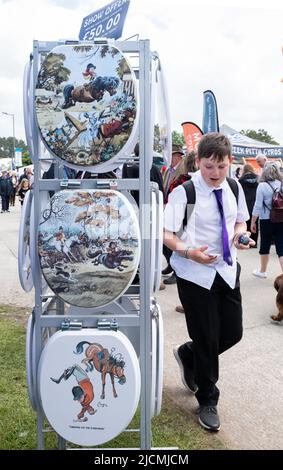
(214, 172)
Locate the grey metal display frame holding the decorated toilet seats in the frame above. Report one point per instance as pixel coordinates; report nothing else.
(123, 310)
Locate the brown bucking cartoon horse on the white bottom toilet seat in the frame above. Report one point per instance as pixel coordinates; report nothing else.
(99, 357)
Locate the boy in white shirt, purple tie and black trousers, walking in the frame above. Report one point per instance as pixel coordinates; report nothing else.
(204, 259)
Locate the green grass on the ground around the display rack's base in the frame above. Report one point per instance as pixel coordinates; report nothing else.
(172, 428)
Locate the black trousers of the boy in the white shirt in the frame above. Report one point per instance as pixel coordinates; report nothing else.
(214, 323)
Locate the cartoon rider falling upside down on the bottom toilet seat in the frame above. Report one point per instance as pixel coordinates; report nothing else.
(83, 392)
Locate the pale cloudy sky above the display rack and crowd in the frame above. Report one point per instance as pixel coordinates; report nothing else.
(232, 47)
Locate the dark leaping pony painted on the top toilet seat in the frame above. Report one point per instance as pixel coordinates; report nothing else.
(89, 92)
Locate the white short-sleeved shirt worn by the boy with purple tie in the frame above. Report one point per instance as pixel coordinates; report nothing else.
(204, 228)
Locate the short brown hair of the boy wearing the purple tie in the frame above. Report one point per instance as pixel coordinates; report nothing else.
(216, 145)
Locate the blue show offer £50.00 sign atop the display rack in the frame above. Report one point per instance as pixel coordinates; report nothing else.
(107, 22)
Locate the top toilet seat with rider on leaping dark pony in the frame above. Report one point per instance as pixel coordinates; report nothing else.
(87, 109)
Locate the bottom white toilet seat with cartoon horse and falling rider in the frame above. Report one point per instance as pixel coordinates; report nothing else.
(76, 393)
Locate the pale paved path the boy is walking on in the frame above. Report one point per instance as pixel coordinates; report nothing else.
(251, 373)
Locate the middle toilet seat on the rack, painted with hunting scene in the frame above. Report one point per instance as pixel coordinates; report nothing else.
(89, 255)
